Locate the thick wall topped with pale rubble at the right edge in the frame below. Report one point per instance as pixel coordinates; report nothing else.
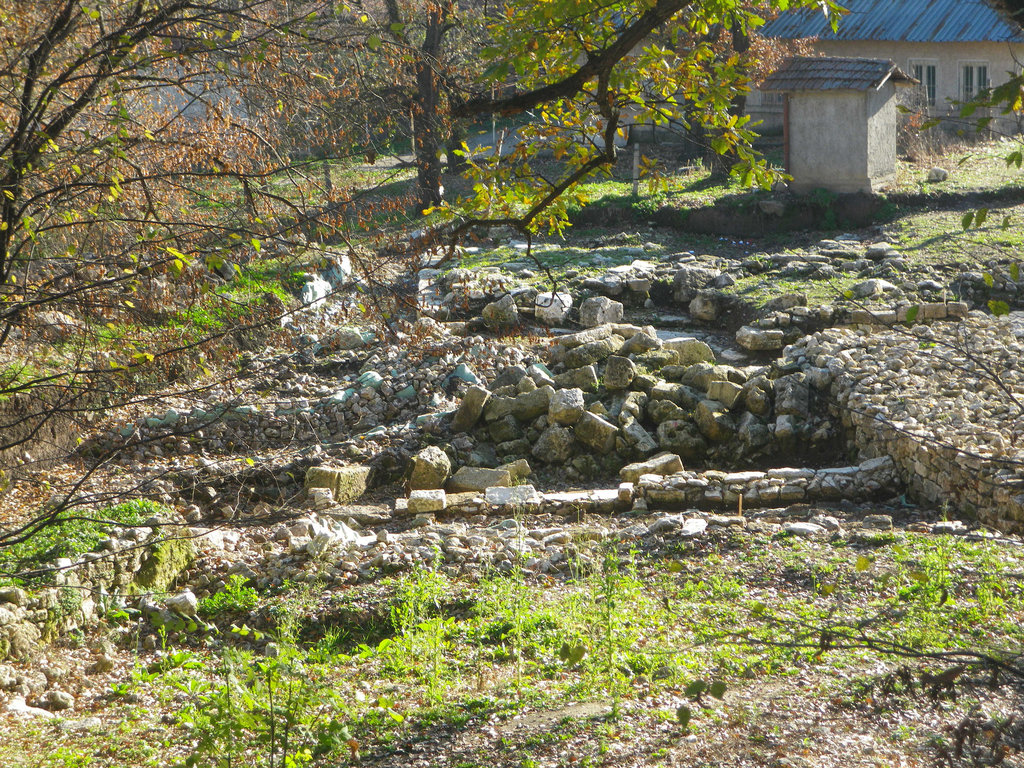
(944, 402)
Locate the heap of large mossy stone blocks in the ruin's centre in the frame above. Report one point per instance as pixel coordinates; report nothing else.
(617, 394)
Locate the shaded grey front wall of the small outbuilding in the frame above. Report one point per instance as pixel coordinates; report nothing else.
(828, 141)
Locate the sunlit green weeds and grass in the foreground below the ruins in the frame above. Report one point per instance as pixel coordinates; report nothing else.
(629, 628)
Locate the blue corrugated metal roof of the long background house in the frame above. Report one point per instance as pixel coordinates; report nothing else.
(910, 21)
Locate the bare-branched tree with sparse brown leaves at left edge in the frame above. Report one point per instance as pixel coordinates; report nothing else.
(131, 176)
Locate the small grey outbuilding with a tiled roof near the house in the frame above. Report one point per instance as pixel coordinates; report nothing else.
(840, 121)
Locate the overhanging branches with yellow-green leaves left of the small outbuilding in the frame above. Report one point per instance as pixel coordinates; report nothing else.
(590, 70)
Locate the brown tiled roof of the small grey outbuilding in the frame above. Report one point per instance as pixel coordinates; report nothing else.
(833, 73)
